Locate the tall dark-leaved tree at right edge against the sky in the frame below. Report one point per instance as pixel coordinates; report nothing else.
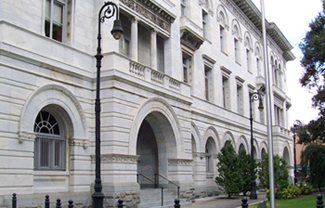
(313, 61)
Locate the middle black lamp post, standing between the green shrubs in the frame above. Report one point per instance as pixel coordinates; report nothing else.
(254, 97)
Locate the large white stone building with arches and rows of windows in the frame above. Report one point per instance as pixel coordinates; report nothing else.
(174, 90)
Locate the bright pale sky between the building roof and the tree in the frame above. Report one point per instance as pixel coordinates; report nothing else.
(293, 17)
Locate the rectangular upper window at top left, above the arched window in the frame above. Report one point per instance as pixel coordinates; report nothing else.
(55, 16)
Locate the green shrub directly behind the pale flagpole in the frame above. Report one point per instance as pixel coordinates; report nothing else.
(281, 173)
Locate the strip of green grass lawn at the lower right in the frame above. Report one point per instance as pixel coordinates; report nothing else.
(303, 202)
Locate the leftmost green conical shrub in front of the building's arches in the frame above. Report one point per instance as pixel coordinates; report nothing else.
(229, 171)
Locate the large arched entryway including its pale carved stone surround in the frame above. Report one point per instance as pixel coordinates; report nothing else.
(156, 140)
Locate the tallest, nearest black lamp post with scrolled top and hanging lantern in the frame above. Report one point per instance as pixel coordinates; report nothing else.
(110, 9)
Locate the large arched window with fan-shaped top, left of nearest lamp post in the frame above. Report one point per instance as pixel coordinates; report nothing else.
(50, 144)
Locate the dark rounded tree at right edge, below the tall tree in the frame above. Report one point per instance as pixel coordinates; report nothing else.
(314, 155)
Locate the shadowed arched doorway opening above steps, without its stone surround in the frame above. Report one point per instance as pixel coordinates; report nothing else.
(155, 145)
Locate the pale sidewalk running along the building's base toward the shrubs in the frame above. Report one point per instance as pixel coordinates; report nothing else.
(222, 201)
